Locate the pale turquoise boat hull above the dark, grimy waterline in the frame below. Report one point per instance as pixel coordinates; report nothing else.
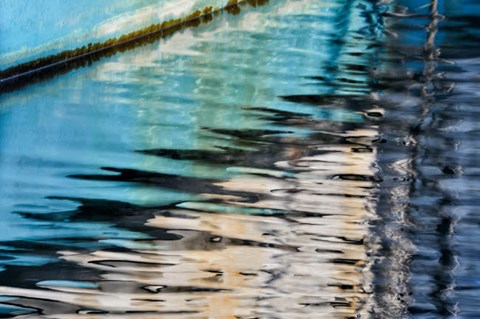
(33, 30)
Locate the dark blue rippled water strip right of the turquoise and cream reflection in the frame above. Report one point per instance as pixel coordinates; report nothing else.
(429, 200)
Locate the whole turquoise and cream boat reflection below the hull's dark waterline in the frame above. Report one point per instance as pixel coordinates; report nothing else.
(237, 174)
